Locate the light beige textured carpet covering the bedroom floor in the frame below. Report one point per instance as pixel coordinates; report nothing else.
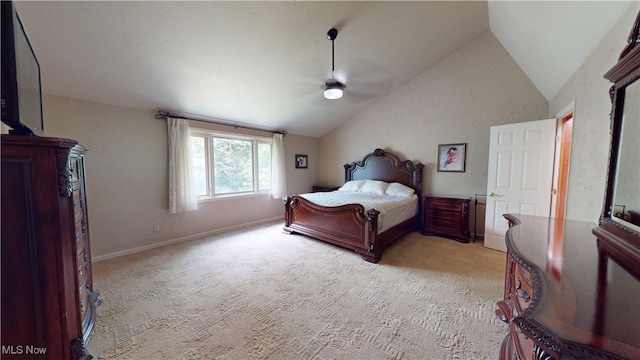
(261, 294)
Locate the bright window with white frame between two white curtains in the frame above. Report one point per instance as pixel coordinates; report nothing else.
(226, 164)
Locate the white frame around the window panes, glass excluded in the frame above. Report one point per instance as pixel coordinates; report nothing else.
(208, 136)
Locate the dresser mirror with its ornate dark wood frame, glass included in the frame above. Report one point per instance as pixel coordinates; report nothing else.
(619, 230)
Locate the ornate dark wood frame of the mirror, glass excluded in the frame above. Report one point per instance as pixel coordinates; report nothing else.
(616, 239)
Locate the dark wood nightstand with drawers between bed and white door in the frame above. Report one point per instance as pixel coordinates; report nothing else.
(446, 216)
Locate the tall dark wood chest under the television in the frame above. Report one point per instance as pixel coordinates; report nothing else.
(48, 302)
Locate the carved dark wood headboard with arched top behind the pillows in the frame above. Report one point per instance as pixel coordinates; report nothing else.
(385, 166)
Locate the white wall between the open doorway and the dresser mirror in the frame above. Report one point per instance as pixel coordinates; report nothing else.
(590, 141)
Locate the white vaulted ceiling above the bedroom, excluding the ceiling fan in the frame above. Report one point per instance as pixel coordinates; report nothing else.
(264, 63)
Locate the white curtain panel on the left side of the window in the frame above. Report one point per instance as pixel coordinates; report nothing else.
(182, 194)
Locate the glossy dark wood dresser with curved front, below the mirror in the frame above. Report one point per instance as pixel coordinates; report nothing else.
(563, 299)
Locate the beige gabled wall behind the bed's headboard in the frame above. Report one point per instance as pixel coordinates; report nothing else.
(455, 101)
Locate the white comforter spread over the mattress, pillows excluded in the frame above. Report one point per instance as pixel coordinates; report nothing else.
(393, 209)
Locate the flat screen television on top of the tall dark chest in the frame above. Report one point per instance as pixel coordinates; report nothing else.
(21, 91)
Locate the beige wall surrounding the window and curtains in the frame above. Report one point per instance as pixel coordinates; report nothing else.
(127, 178)
